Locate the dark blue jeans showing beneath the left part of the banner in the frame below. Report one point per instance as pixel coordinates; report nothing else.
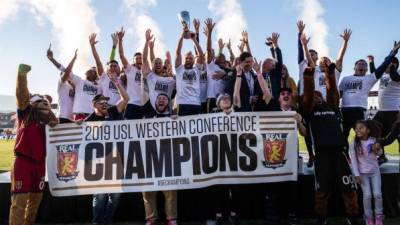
(104, 206)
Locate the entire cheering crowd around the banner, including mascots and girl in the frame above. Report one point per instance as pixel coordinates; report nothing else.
(206, 81)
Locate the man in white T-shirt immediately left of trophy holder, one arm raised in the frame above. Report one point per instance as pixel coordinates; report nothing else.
(157, 80)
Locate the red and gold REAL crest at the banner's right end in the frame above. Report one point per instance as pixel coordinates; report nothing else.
(274, 150)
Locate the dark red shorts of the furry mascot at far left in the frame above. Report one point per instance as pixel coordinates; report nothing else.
(27, 175)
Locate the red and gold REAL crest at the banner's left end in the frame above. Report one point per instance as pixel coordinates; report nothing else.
(67, 162)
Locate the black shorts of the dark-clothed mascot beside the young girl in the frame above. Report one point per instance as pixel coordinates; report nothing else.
(332, 169)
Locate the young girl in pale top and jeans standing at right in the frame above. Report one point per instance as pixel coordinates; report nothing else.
(364, 160)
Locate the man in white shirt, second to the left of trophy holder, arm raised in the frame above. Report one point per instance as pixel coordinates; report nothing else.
(138, 98)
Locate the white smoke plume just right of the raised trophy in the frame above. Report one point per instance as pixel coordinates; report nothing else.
(230, 20)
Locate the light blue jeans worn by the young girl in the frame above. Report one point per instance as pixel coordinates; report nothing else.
(371, 187)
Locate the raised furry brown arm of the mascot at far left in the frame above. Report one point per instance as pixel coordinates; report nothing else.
(21, 90)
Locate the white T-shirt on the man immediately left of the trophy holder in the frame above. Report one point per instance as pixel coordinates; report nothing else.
(157, 85)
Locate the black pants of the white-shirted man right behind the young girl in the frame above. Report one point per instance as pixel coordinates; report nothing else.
(350, 116)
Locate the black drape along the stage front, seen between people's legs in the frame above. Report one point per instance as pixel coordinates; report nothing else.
(195, 204)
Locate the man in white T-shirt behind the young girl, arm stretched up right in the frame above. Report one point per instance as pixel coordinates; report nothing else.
(354, 90)
